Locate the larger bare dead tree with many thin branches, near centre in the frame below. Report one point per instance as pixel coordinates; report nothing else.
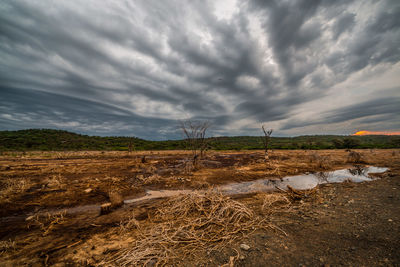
(195, 137)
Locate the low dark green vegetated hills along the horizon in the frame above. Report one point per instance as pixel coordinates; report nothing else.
(45, 139)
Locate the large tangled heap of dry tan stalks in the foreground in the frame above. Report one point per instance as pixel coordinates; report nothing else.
(186, 226)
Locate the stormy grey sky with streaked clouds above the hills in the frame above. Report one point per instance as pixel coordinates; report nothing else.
(139, 67)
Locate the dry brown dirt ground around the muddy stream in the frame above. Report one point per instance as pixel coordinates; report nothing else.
(339, 224)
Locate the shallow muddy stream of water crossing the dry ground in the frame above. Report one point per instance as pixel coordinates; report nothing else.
(301, 182)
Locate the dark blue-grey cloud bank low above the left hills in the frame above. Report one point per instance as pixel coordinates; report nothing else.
(35, 108)
